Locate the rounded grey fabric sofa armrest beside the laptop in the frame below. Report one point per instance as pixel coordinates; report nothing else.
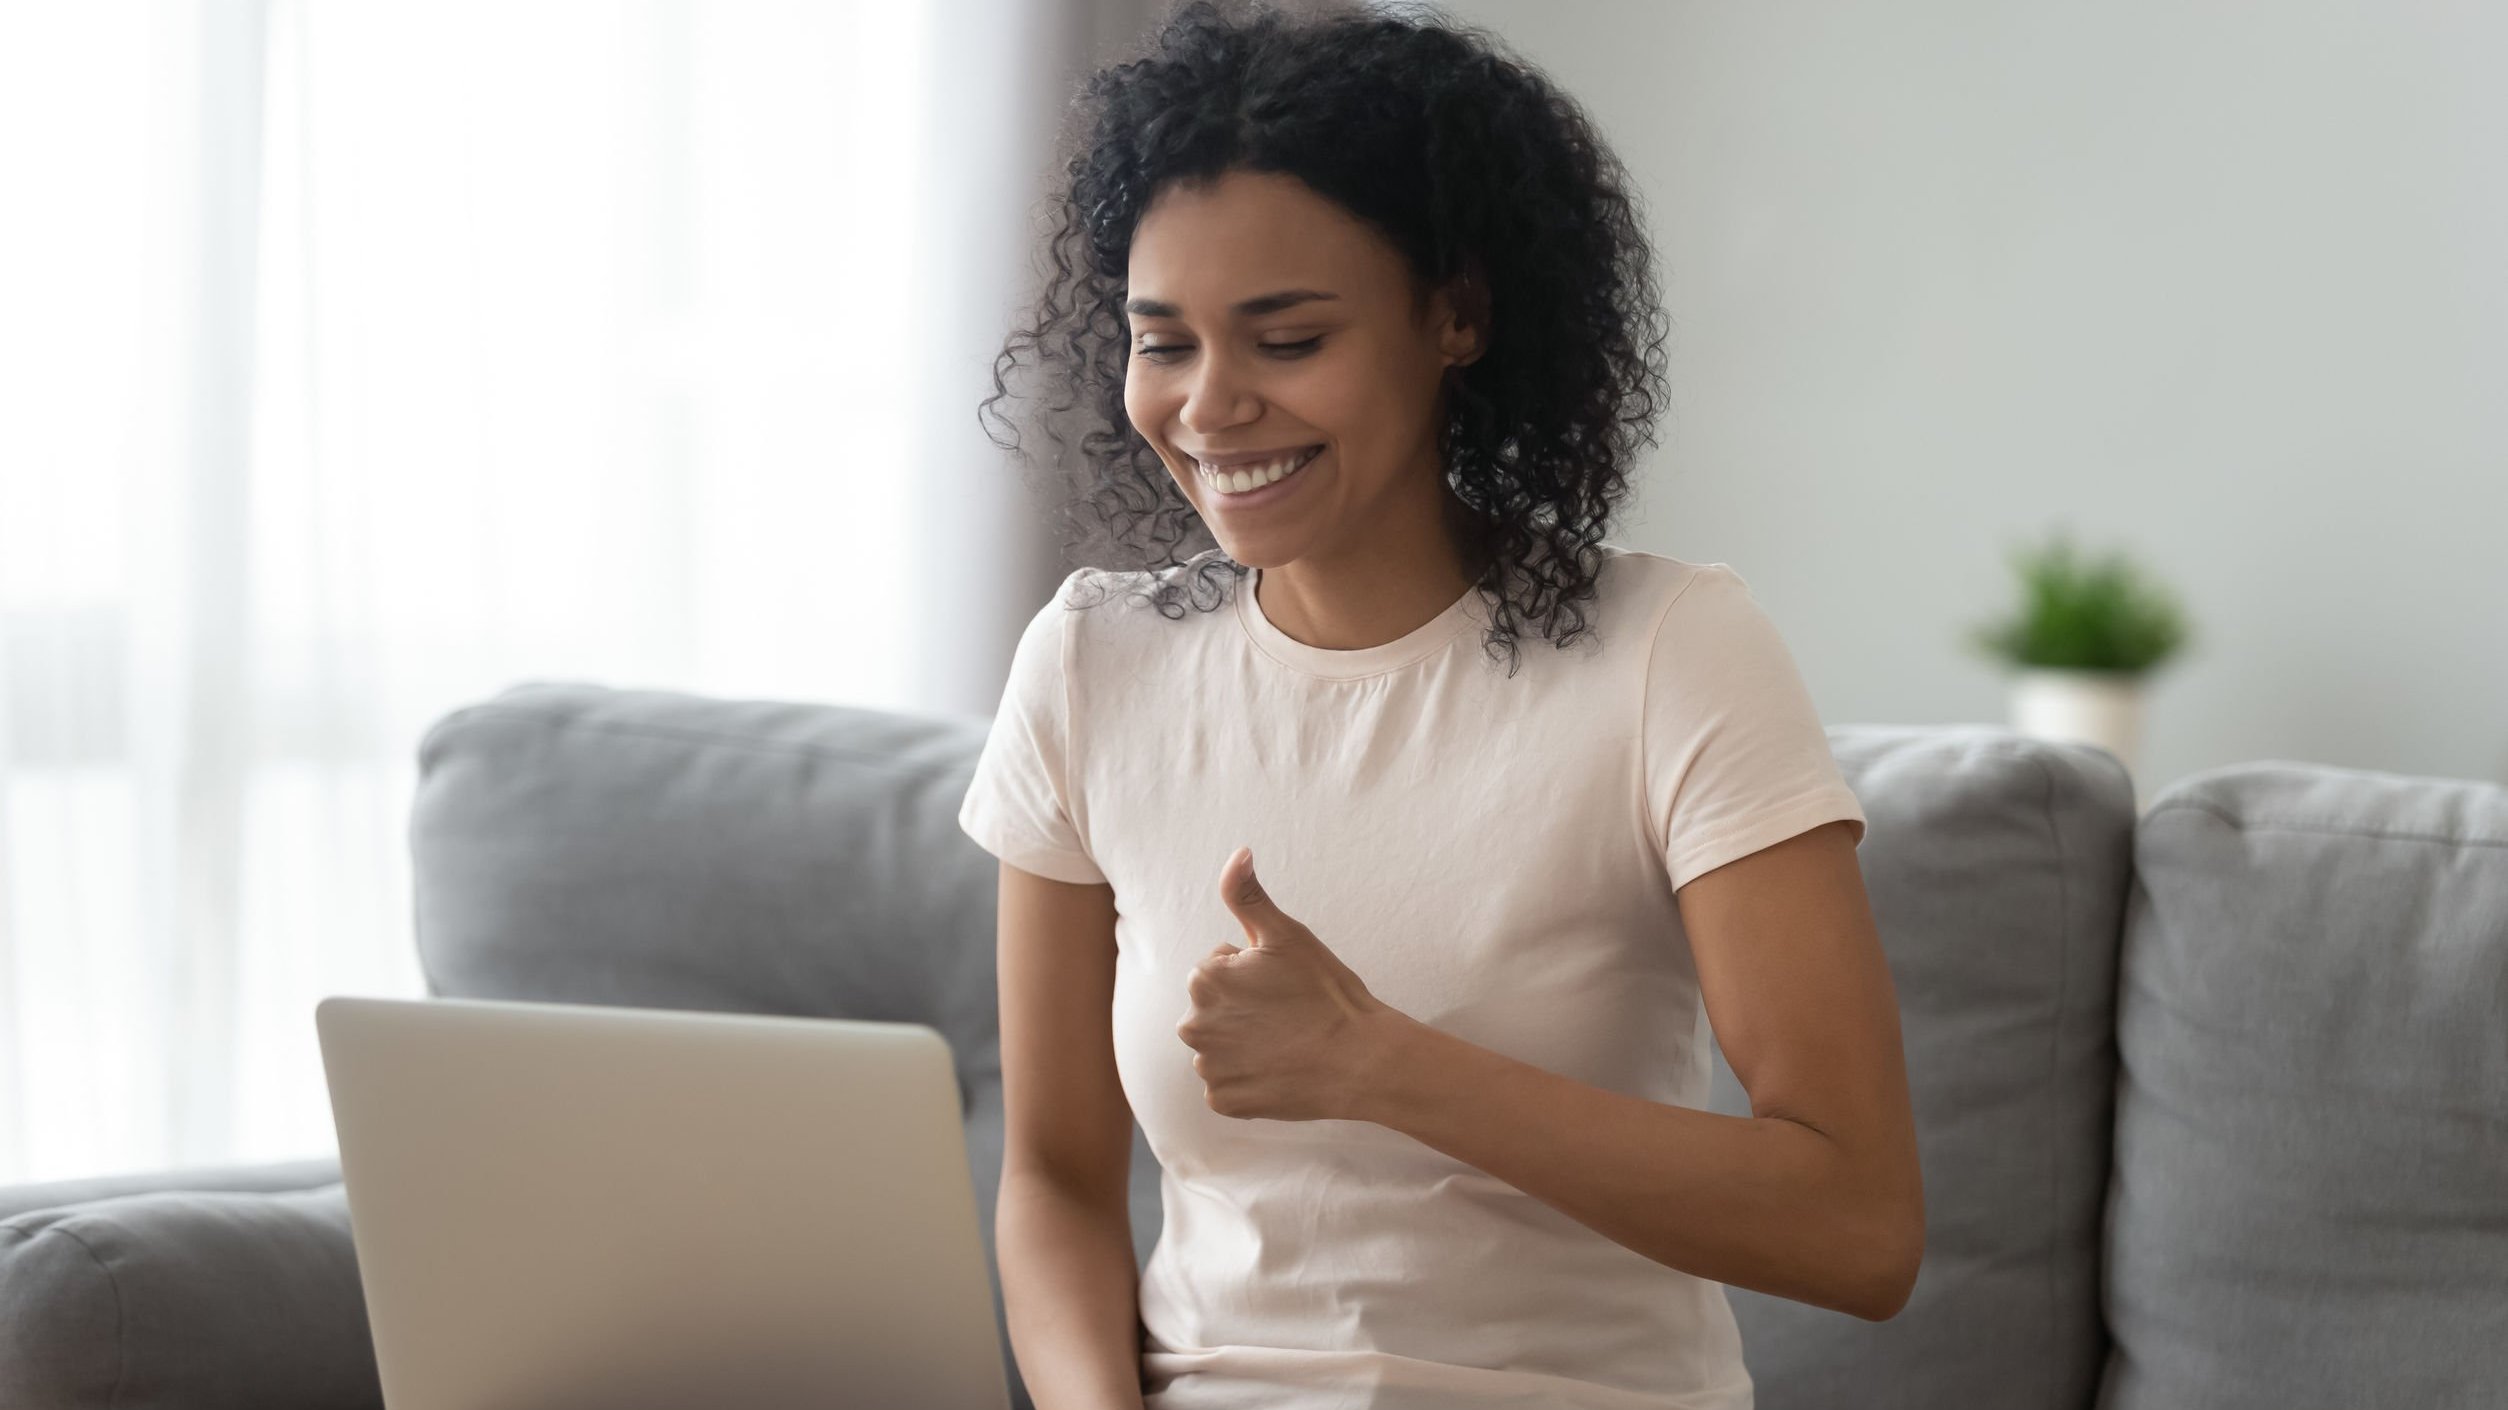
(187, 1301)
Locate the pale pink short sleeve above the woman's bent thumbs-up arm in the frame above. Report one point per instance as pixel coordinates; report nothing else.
(1734, 751)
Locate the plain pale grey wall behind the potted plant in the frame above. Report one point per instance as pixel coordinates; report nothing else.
(2221, 285)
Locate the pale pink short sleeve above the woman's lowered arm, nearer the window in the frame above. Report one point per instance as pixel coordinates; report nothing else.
(1020, 802)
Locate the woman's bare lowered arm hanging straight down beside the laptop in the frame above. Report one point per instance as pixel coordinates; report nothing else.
(1062, 1233)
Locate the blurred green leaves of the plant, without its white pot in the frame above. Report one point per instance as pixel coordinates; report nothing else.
(2083, 613)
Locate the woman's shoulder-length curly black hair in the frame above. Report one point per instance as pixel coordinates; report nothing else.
(1471, 162)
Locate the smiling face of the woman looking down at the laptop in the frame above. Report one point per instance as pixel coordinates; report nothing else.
(1270, 322)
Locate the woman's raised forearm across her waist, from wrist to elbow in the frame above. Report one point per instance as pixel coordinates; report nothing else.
(1752, 1203)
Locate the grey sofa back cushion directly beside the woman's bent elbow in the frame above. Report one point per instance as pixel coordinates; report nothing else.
(1998, 869)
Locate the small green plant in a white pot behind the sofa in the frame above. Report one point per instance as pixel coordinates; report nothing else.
(2083, 644)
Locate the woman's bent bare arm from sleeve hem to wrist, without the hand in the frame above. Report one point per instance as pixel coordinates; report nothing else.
(1817, 1195)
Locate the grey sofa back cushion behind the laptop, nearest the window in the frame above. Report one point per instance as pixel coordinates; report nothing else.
(581, 844)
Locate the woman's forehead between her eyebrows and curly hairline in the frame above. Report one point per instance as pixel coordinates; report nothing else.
(1208, 247)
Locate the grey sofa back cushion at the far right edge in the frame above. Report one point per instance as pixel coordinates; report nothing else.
(2311, 1190)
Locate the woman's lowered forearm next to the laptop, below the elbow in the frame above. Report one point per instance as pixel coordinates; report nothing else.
(1072, 1293)
